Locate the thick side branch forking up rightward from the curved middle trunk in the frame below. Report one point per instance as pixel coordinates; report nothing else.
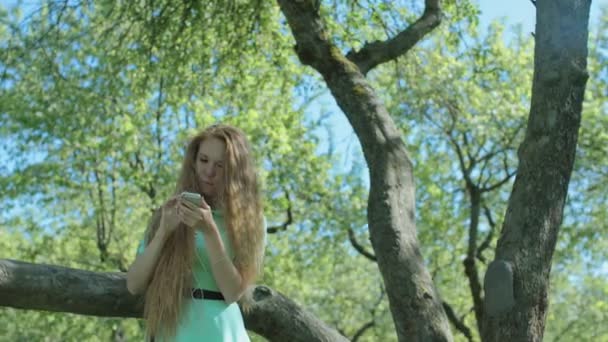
(375, 53)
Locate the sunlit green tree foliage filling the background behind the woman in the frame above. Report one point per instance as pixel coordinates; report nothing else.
(97, 101)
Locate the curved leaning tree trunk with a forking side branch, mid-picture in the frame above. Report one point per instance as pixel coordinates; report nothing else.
(415, 304)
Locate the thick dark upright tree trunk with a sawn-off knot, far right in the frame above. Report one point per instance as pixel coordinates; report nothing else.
(517, 280)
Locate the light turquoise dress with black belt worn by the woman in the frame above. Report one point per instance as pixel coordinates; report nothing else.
(209, 320)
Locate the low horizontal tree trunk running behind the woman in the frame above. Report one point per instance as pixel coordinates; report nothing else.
(61, 289)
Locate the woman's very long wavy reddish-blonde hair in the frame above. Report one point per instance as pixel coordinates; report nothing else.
(241, 203)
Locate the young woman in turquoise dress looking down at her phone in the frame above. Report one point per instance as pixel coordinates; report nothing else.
(196, 260)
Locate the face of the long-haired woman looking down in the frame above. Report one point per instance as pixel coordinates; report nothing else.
(210, 167)
